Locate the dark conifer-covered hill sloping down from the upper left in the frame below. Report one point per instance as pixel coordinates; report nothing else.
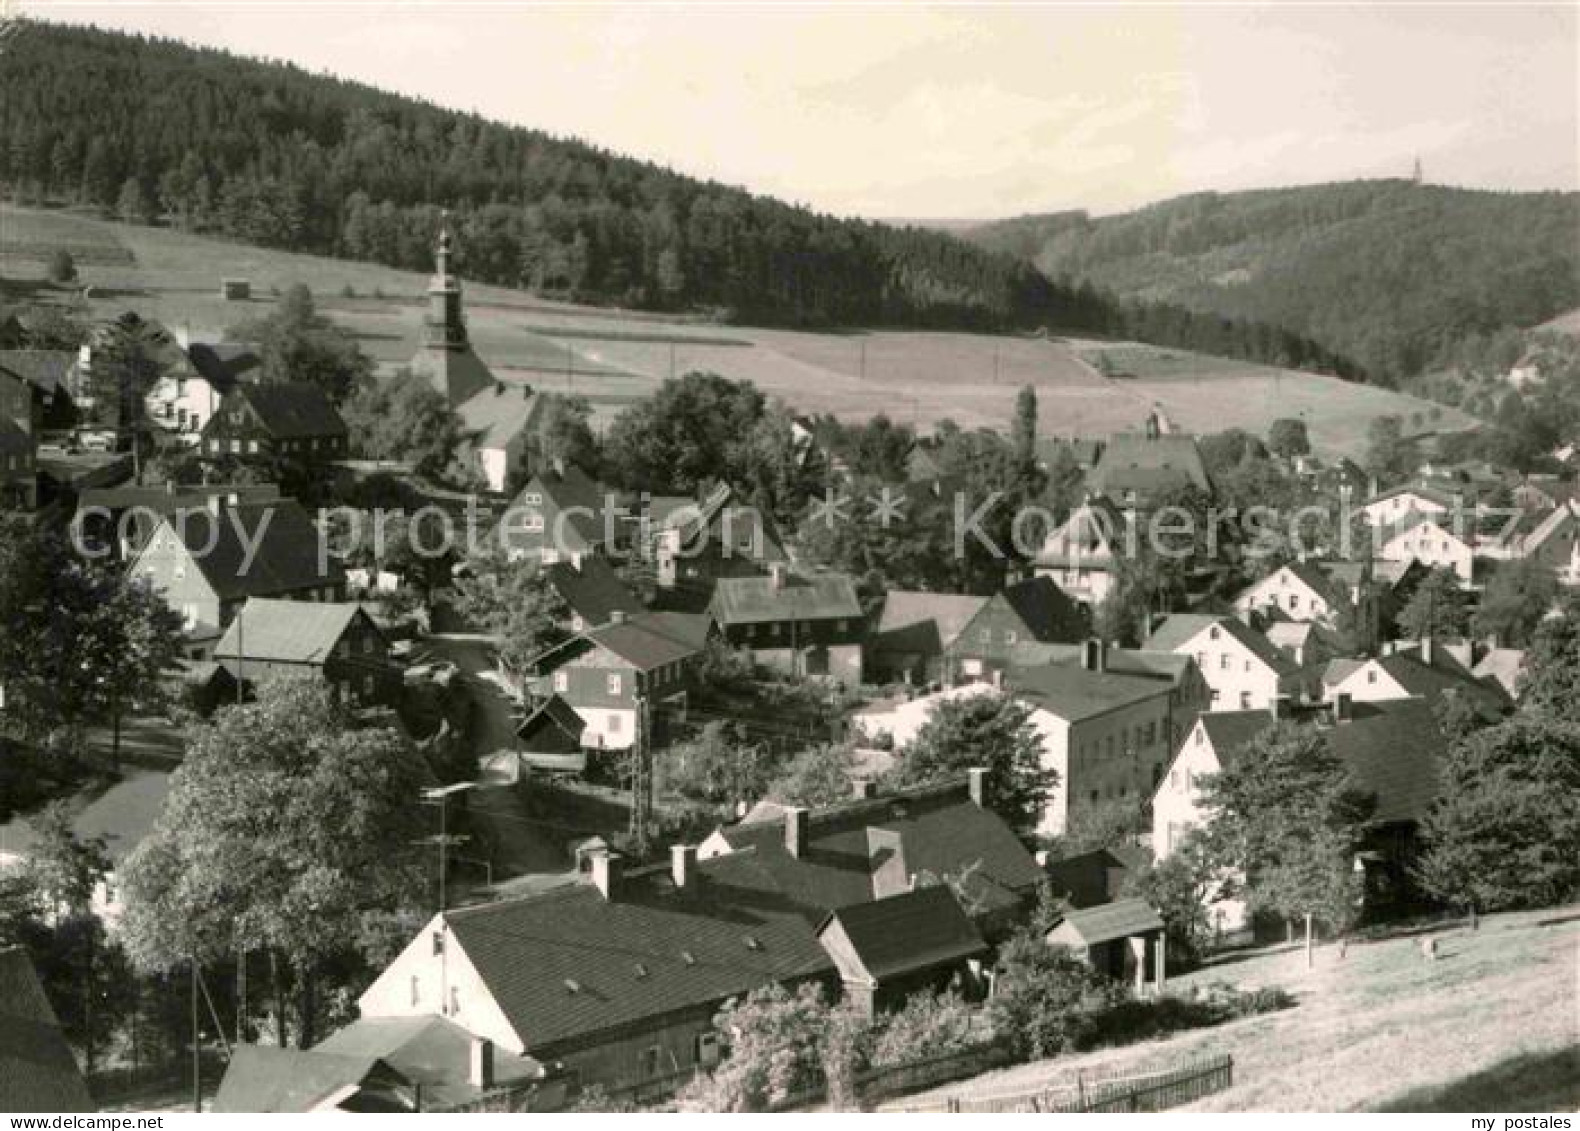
(274, 156)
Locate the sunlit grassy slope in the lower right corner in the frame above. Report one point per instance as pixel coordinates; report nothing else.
(1492, 1026)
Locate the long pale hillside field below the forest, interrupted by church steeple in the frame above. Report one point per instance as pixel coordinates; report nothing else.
(615, 358)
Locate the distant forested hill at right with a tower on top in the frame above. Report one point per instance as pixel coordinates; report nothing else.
(1386, 272)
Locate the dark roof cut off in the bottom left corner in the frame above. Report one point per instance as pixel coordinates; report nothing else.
(37, 1069)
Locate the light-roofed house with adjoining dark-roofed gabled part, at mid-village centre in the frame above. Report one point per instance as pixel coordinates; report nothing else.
(930, 637)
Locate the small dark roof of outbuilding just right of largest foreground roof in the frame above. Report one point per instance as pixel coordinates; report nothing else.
(909, 933)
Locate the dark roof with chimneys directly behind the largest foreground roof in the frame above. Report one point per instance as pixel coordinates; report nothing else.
(941, 833)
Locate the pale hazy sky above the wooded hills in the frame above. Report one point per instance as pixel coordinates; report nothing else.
(960, 111)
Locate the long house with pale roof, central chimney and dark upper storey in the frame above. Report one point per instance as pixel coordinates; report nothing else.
(808, 625)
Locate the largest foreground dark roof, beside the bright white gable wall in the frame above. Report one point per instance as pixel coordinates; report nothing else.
(568, 966)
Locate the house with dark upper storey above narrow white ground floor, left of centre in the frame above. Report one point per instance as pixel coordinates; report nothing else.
(614, 672)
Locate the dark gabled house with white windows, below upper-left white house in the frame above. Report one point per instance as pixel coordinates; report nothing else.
(290, 421)
